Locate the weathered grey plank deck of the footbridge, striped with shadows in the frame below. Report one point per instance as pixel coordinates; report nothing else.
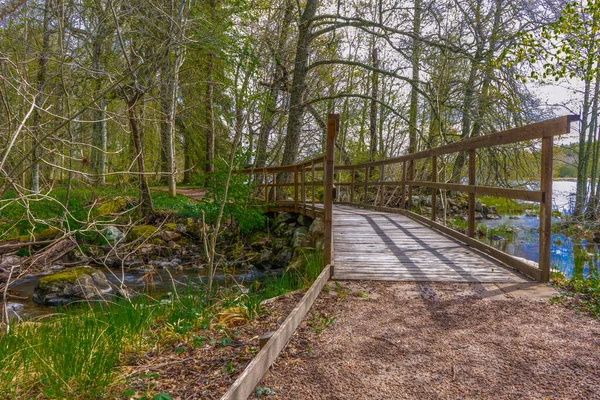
(374, 245)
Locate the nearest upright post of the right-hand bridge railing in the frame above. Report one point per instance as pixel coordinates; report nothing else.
(546, 207)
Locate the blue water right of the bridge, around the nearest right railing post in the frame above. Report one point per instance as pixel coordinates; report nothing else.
(564, 250)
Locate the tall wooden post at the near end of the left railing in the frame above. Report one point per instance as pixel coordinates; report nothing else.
(333, 122)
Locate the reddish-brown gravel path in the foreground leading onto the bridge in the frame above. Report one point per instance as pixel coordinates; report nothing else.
(386, 340)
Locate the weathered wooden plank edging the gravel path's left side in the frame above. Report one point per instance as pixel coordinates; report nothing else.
(244, 385)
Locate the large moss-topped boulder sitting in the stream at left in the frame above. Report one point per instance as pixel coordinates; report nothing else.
(71, 284)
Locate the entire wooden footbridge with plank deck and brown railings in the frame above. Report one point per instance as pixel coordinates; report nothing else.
(372, 232)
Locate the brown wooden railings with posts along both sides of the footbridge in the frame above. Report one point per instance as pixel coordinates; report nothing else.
(399, 173)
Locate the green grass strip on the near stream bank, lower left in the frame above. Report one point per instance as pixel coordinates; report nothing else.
(77, 352)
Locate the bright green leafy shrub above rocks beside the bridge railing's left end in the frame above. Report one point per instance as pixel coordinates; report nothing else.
(239, 206)
